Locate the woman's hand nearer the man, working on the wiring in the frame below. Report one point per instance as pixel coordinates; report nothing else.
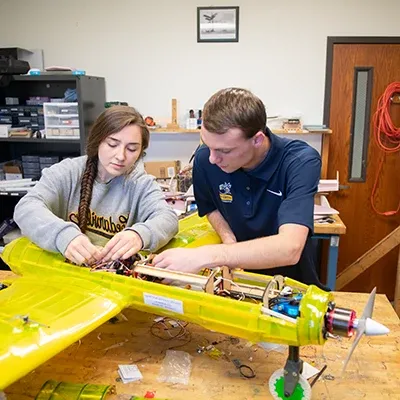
(122, 246)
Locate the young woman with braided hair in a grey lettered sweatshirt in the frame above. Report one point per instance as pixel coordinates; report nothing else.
(102, 206)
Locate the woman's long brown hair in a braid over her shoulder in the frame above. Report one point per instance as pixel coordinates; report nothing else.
(112, 120)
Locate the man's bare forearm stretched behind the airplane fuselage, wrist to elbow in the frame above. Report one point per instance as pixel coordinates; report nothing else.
(268, 252)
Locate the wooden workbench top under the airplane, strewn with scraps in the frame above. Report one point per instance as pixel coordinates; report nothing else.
(373, 372)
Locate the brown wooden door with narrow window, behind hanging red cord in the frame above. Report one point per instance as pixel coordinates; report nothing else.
(360, 75)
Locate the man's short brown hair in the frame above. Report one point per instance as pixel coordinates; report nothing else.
(235, 108)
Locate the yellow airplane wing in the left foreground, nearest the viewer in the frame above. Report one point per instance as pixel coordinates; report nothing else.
(42, 315)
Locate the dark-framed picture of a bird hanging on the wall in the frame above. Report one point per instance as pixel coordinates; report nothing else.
(217, 24)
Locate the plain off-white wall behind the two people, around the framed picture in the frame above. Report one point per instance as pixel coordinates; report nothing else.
(148, 52)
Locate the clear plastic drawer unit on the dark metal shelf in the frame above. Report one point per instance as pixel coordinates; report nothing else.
(61, 120)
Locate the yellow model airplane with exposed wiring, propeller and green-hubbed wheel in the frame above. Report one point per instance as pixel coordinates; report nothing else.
(53, 304)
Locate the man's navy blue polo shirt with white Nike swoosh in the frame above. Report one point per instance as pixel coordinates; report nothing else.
(255, 203)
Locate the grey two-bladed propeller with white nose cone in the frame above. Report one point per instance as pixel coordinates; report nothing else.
(366, 325)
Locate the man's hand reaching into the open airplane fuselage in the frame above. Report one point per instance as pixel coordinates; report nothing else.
(183, 260)
